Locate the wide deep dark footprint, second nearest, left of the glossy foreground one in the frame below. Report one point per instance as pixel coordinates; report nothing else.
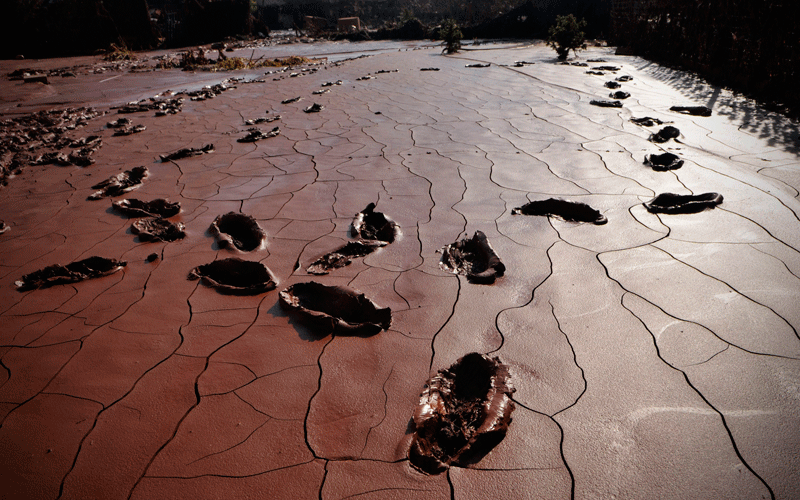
(336, 309)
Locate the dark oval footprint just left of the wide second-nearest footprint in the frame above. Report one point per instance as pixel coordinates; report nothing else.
(235, 276)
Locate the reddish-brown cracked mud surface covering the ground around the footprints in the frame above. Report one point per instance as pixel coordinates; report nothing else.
(656, 356)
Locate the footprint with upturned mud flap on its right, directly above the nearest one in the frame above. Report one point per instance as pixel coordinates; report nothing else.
(474, 258)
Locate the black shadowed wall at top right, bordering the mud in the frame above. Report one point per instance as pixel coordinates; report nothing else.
(750, 45)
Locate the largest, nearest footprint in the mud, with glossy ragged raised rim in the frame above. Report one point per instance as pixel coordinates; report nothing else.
(463, 412)
